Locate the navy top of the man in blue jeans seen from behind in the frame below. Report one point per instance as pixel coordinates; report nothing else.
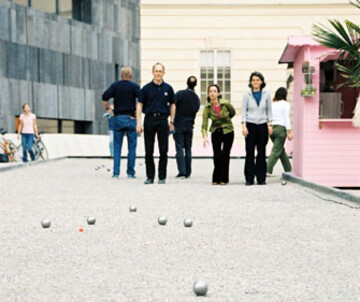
(125, 94)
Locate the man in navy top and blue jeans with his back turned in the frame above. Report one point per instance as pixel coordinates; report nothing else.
(125, 93)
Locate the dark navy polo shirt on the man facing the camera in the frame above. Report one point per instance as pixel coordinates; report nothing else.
(157, 98)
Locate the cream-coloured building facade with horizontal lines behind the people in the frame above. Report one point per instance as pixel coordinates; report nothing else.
(224, 41)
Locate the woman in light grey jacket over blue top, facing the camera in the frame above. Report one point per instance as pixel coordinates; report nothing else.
(256, 127)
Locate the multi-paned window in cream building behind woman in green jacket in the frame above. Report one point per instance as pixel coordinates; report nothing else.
(215, 68)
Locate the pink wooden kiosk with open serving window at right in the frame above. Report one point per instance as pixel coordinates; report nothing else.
(326, 145)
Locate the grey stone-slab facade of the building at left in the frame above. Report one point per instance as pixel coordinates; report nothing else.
(62, 66)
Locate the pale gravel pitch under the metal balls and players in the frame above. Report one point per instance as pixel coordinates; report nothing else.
(258, 243)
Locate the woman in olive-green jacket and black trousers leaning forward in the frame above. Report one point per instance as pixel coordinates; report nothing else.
(220, 112)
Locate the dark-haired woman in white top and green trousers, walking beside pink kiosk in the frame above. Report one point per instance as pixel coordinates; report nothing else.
(281, 131)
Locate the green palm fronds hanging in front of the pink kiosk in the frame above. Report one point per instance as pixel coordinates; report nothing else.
(346, 39)
